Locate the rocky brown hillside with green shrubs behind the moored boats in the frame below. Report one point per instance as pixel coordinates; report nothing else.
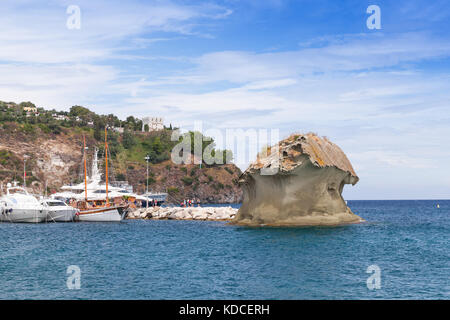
(53, 152)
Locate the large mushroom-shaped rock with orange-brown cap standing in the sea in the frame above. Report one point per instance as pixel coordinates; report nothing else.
(298, 186)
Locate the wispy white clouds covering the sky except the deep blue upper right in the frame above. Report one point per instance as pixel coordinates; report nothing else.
(366, 92)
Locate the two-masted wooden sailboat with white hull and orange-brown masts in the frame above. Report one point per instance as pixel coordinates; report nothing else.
(99, 210)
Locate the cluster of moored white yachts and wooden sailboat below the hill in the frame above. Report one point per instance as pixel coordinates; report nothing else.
(90, 201)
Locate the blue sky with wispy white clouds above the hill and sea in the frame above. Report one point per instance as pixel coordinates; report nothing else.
(382, 95)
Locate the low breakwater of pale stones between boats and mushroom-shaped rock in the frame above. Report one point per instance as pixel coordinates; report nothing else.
(190, 213)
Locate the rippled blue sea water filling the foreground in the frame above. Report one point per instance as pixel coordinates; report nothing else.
(136, 259)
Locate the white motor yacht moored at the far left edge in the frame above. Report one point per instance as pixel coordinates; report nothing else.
(19, 206)
